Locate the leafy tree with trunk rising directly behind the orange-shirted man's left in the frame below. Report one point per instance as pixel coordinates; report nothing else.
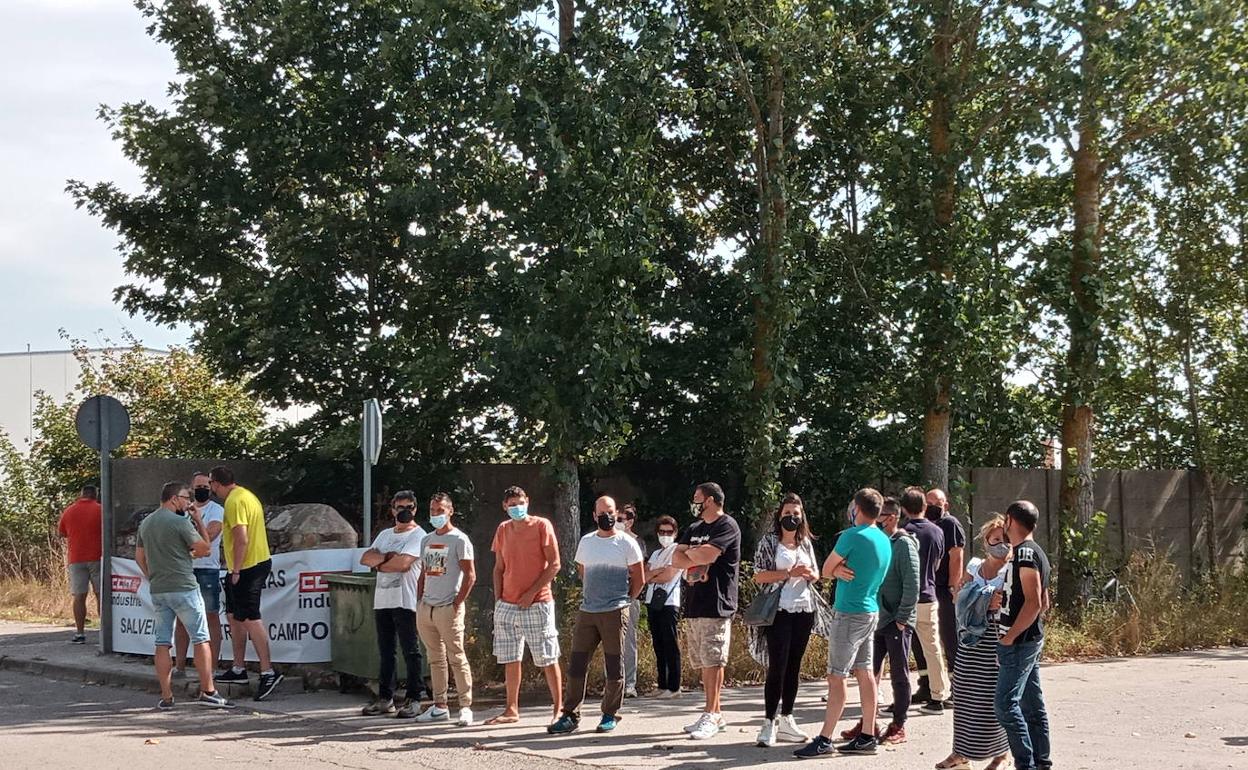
(570, 301)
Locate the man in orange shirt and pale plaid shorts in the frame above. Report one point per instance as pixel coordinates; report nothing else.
(526, 562)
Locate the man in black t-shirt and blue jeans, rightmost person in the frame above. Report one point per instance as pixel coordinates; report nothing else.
(1020, 702)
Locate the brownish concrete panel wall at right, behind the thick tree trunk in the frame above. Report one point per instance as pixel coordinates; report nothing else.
(1163, 510)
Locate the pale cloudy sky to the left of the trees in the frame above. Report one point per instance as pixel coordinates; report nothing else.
(59, 62)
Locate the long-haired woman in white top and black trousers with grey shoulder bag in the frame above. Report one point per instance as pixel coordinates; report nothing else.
(787, 557)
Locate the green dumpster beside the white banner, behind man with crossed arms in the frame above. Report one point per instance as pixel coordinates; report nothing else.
(353, 633)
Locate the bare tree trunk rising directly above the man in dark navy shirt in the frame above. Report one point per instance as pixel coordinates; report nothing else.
(938, 360)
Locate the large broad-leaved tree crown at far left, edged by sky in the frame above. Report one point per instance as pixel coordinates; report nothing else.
(315, 207)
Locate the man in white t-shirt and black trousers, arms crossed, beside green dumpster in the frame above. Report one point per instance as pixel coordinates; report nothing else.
(396, 556)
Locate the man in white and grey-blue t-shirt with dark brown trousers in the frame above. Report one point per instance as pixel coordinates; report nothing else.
(610, 563)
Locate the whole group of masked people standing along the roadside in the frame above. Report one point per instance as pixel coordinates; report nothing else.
(898, 576)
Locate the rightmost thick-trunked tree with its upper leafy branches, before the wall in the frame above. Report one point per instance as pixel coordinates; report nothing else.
(1143, 72)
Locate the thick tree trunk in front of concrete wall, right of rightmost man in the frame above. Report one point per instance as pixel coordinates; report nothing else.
(1084, 319)
